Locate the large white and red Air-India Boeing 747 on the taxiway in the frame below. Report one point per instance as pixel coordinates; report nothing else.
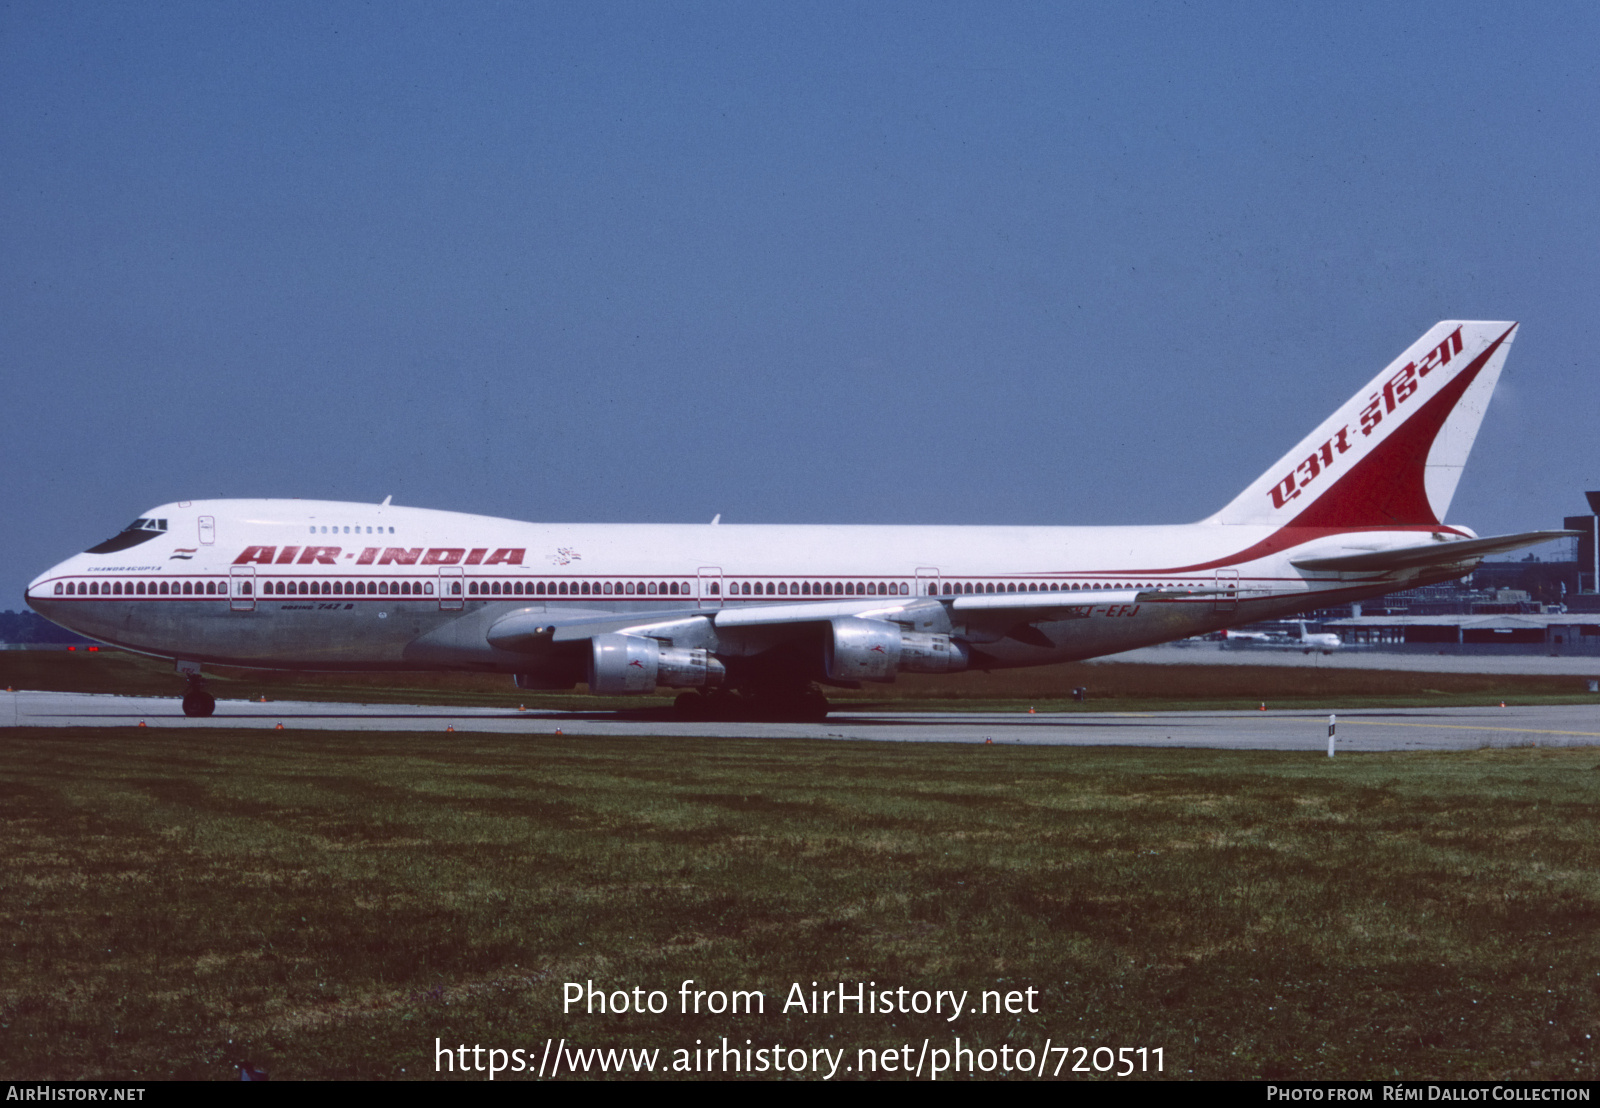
(754, 619)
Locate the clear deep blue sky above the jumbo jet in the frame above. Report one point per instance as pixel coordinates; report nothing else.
(788, 263)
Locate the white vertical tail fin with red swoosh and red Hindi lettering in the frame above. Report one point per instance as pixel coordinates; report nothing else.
(1393, 456)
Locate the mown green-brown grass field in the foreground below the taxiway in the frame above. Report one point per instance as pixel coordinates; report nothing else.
(326, 905)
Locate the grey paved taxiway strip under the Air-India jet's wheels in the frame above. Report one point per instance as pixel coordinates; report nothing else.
(1375, 729)
